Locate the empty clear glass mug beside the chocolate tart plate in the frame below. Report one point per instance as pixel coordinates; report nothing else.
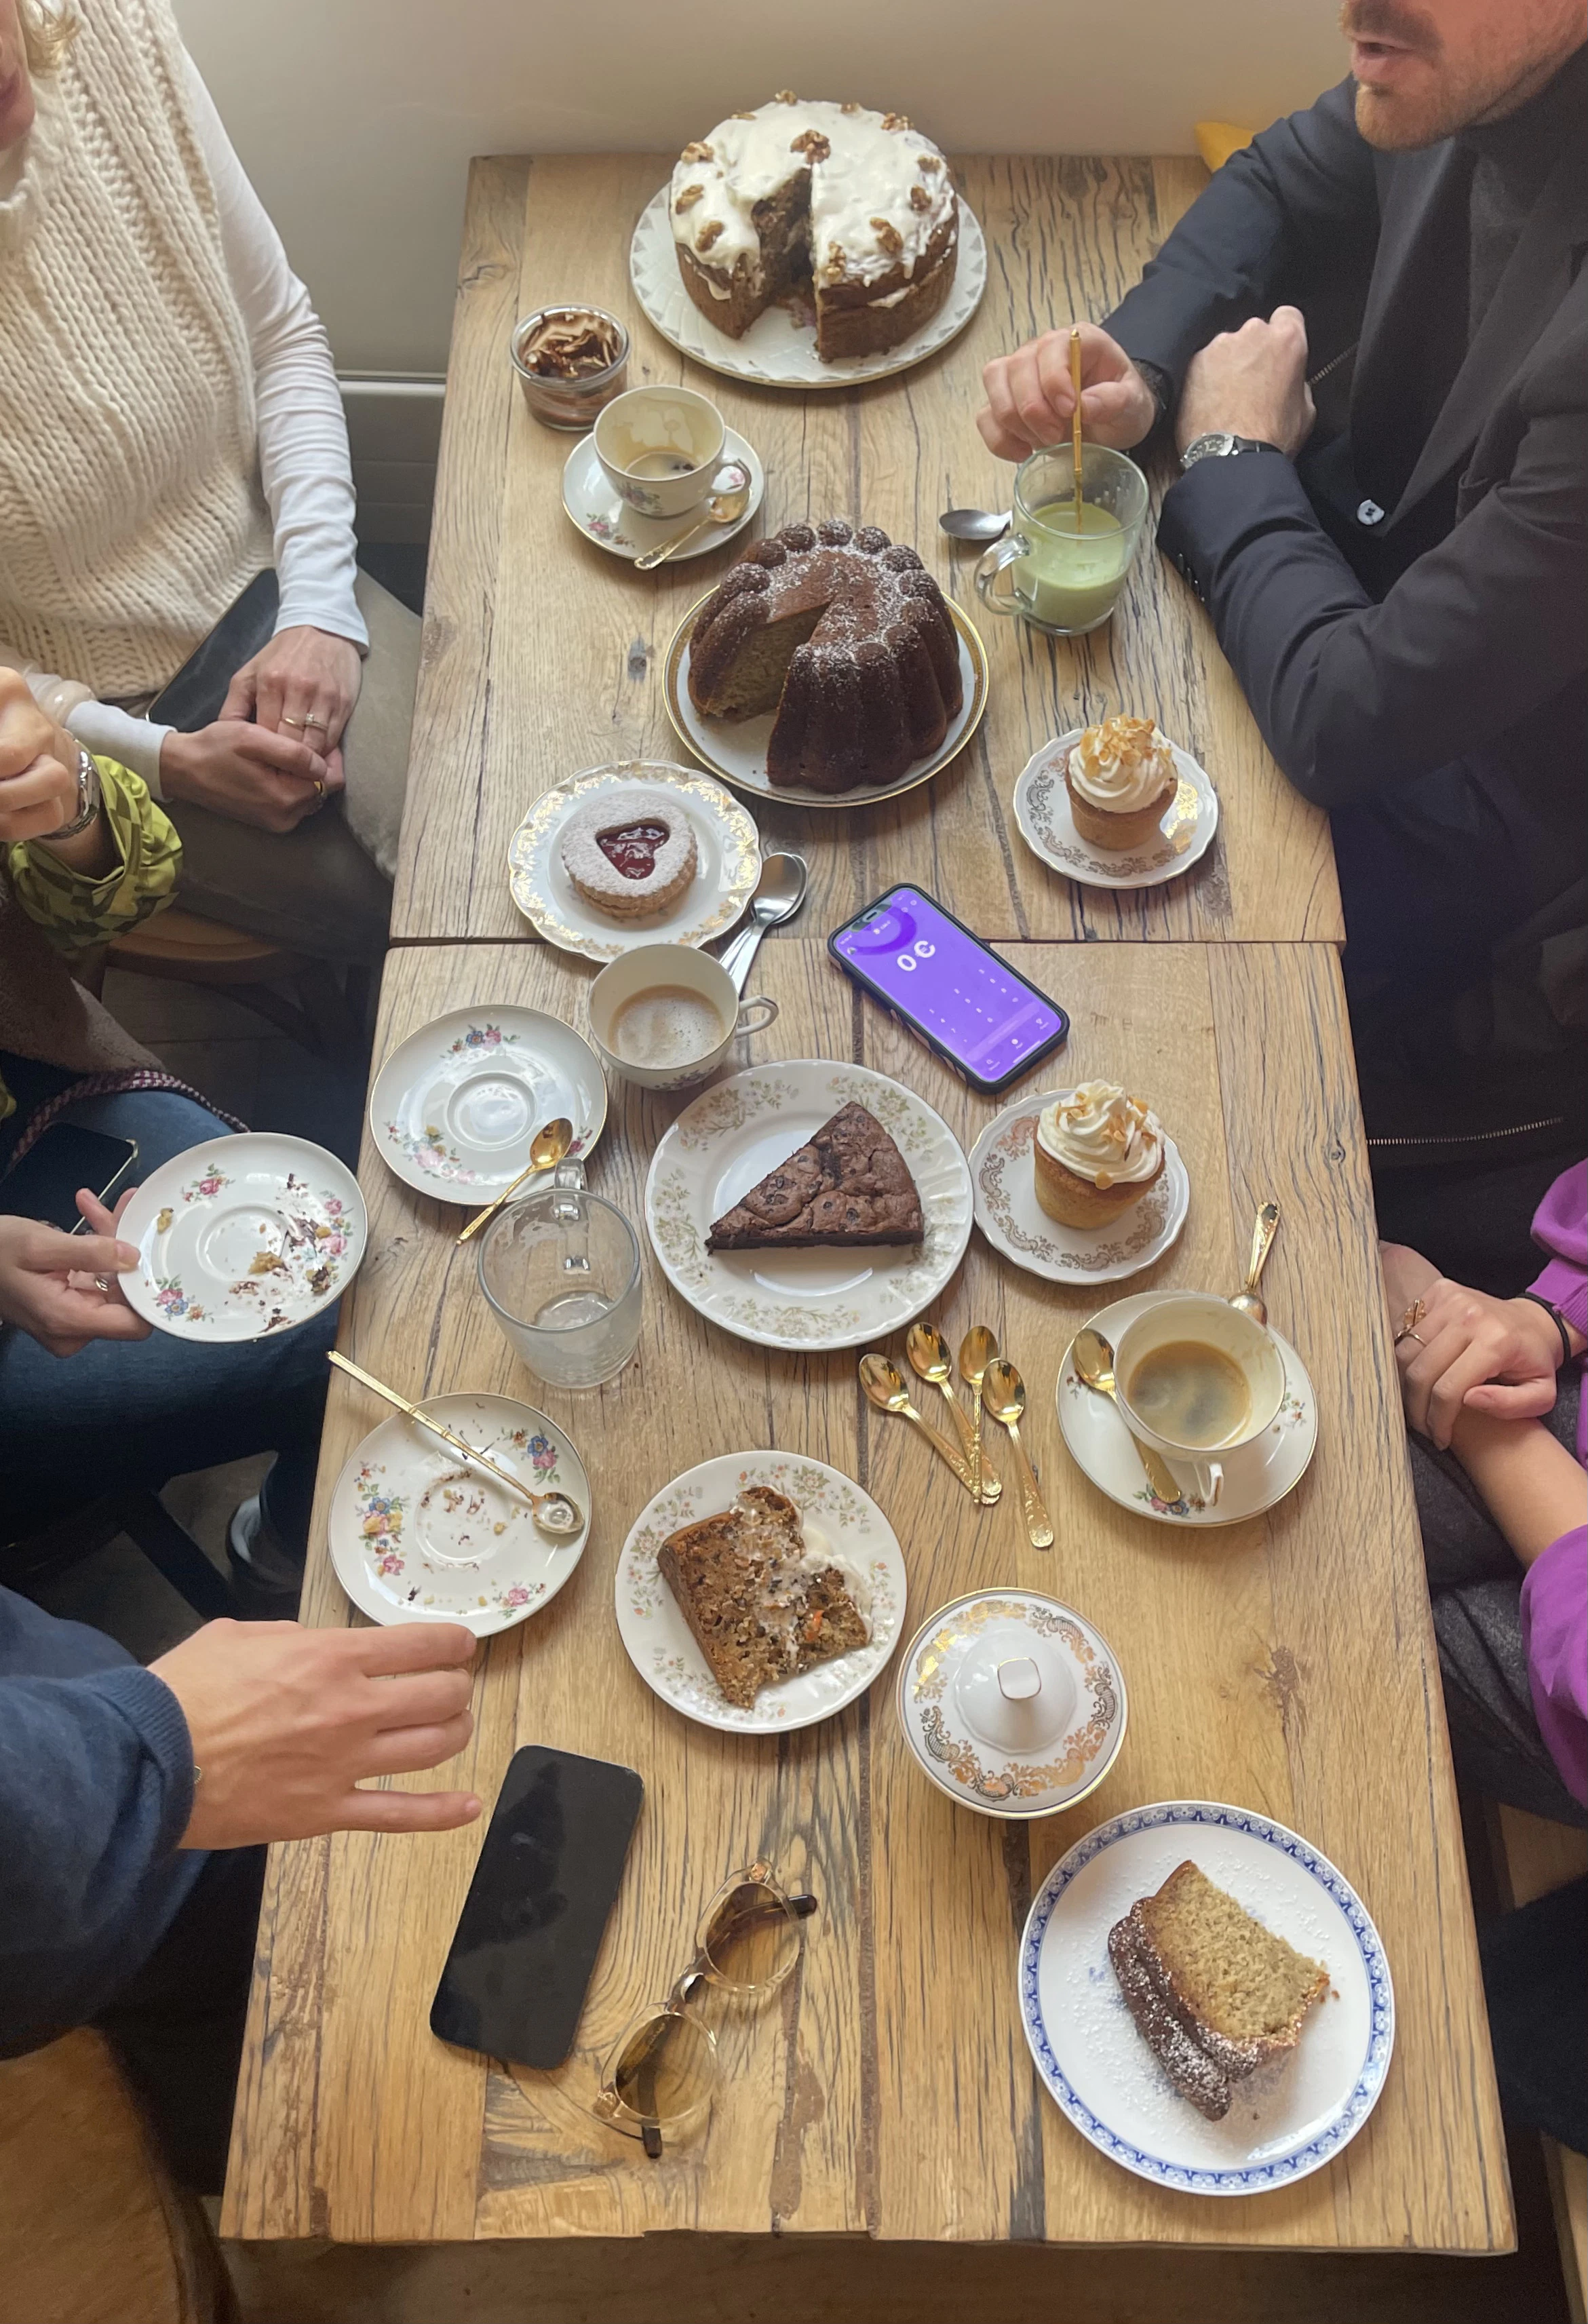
(561, 1272)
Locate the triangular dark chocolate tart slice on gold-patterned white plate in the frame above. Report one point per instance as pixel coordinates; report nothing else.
(845, 1189)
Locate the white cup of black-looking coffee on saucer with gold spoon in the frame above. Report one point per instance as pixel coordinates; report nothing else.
(1199, 1379)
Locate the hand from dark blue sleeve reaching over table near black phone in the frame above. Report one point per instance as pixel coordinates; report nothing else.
(287, 1723)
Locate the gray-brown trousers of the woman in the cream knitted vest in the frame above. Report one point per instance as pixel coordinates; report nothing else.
(322, 889)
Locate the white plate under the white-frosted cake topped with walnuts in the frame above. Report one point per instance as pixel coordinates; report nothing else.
(778, 350)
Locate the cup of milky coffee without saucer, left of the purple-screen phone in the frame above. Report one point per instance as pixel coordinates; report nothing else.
(666, 1017)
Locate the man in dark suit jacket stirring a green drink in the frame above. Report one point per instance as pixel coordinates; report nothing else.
(1399, 578)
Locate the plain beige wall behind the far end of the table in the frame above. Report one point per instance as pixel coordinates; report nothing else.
(357, 117)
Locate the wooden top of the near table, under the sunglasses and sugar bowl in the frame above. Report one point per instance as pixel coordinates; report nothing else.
(1282, 1665)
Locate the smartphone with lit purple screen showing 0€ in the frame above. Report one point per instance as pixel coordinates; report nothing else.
(950, 989)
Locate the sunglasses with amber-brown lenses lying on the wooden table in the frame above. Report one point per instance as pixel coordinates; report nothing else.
(661, 2072)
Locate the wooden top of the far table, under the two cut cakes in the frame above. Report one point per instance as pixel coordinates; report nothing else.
(543, 652)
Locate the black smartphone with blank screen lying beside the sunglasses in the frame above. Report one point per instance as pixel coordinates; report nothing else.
(534, 1921)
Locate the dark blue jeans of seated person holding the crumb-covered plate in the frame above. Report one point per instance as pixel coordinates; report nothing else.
(143, 1412)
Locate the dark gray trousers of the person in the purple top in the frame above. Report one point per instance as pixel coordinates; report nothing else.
(1475, 1584)
